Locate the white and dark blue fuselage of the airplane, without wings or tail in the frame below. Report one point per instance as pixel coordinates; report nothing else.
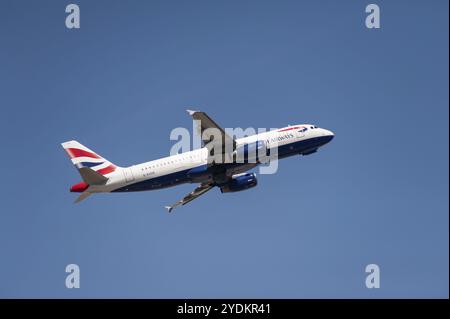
(173, 170)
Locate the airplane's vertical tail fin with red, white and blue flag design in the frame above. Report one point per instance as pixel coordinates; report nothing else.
(82, 157)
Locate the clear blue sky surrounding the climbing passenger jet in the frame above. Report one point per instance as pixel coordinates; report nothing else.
(378, 193)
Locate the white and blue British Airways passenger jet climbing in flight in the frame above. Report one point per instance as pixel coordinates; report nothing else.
(101, 176)
